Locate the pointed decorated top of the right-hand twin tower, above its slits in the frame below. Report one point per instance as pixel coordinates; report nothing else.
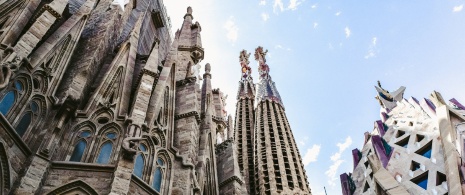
(266, 89)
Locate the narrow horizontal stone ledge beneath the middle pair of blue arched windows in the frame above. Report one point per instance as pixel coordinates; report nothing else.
(78, 166)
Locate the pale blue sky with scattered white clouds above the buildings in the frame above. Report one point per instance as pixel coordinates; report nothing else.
(326, 56)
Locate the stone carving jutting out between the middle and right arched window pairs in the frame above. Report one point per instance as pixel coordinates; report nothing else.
(130, 143)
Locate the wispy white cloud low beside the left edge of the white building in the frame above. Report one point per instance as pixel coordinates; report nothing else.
(336, 159)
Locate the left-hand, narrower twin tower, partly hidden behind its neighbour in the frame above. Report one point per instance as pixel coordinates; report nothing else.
(244, 121)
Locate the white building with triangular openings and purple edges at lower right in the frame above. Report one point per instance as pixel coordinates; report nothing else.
(417, 147)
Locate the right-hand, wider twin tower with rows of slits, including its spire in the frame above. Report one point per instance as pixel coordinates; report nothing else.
(278, 167)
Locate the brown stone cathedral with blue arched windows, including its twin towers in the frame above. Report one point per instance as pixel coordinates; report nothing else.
(99, 97)
